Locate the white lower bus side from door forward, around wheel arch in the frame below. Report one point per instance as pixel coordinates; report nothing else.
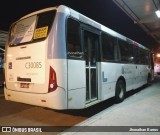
(135, 76)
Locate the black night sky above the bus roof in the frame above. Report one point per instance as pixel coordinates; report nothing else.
(105, 12)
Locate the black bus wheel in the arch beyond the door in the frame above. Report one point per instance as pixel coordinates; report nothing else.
(120, 91)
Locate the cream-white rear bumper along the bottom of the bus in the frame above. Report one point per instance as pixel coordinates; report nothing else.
(53, 100)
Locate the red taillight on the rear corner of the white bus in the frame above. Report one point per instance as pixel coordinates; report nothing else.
(52, 80)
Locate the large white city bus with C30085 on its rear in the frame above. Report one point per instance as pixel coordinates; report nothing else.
(60, 59)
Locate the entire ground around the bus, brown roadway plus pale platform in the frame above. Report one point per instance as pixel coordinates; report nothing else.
(139, 109)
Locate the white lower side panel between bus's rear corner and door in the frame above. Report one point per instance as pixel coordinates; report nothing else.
(76, 84)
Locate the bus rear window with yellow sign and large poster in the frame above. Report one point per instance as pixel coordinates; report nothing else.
(32, 29)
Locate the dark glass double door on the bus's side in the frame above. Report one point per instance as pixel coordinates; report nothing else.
(90, 46)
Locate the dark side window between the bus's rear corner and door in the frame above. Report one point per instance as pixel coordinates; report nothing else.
(73, 39)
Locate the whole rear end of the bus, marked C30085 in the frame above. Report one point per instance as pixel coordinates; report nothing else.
(36, 66)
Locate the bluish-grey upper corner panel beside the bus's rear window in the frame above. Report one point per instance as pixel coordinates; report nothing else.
(57, 38)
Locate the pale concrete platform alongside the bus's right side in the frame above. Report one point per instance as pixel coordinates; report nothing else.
(141, 109)
